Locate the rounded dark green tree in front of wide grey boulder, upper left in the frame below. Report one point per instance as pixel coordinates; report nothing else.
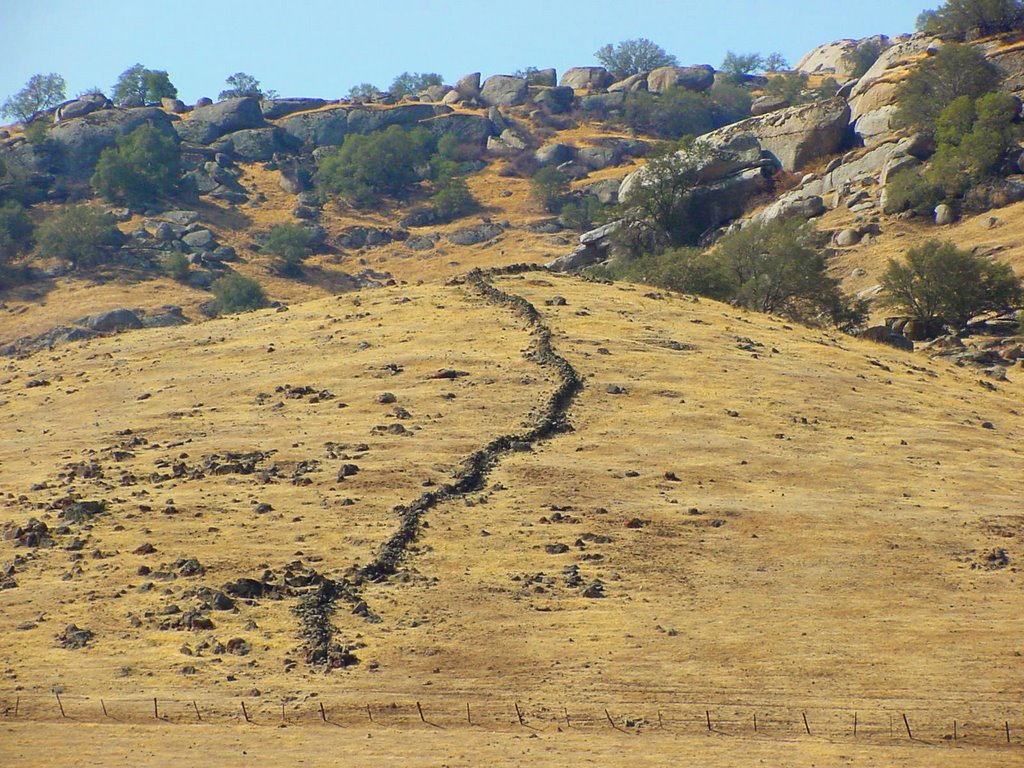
(145, 166)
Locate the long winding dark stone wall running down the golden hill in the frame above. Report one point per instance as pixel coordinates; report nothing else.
(316, 609)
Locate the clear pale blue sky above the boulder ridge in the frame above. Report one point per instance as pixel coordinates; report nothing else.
(323, 48)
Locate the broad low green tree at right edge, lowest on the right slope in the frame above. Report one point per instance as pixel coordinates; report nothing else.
(938, 281)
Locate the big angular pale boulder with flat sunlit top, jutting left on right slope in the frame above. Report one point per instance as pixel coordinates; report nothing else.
(799, 136)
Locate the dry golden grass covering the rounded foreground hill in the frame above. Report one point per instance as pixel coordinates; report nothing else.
(813, 552)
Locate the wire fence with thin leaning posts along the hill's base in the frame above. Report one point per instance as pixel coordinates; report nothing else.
(968, 724)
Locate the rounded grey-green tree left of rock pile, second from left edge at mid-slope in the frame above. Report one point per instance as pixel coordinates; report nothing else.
(82, 235)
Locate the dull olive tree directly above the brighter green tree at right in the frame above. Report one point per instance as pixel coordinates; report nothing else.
(956, 71)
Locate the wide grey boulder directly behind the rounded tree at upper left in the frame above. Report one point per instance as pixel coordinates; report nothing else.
(80, 142)
